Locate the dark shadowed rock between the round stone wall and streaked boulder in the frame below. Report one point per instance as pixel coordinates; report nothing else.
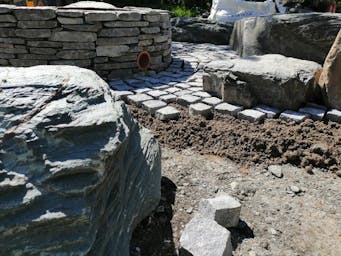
(198, 30)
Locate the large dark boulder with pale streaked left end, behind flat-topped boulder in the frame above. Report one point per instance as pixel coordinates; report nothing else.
(305, 36)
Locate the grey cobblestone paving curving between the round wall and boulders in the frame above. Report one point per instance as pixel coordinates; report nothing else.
(182, 83)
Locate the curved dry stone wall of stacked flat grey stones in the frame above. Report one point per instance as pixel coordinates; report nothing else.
(105, 40)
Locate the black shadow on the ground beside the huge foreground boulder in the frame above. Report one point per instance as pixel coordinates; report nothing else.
(154, 235)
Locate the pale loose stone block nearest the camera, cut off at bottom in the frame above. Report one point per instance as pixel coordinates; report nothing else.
(205, 237)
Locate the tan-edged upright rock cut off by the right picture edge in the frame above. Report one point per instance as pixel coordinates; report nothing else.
(330, 79)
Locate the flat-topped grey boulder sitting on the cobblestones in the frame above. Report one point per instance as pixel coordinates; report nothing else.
(274, 80)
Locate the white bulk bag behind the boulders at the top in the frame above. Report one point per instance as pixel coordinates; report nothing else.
(231, 10)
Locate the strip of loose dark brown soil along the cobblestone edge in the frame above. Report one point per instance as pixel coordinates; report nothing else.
(309, 144)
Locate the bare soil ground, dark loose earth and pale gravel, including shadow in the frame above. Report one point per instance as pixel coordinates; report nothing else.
(202, 158)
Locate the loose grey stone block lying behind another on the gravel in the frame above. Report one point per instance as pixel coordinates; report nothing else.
(224, 209)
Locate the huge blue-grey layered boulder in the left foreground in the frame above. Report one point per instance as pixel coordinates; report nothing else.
(77, 173)
